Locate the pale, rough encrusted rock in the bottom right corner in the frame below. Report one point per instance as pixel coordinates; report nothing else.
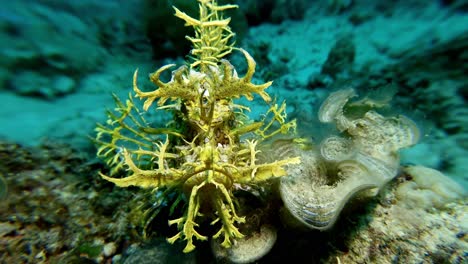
(401, 231)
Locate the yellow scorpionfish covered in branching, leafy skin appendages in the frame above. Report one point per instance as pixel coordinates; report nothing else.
(208, 150)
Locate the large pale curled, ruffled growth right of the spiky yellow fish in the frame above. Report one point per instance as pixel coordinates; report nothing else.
(365, 157)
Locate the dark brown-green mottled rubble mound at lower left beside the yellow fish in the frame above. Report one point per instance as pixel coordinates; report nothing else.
(52, 212)
